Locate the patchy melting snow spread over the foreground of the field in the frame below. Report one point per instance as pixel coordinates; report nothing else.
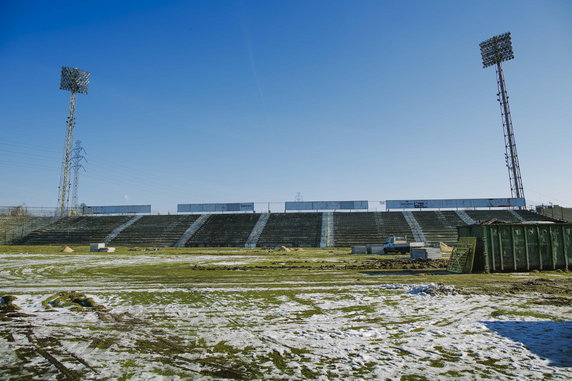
(295, 330)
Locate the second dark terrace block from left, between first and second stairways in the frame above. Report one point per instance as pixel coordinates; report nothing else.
(162, 230)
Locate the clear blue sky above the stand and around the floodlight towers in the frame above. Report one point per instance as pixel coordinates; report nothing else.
(236, 101)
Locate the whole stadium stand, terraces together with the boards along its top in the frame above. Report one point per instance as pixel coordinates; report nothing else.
(320, 224)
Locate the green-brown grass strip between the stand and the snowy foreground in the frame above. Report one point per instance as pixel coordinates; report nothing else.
(269, 264)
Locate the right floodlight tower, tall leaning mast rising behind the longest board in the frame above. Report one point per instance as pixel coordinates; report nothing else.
(494, 51)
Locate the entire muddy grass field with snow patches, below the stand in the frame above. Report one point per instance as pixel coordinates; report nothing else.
(203, 313)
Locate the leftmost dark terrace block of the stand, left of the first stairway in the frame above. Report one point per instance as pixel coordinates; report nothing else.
(74, 230)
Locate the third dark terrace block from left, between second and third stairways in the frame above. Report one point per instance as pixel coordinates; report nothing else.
(224, 230)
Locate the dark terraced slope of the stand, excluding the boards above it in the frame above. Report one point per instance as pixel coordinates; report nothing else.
(268, 230)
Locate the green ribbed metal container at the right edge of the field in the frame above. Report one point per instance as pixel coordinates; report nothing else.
(520, 247)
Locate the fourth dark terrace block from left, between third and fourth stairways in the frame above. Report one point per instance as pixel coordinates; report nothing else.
(292, 230)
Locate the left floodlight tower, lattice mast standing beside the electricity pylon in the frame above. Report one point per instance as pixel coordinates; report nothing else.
(75, 81)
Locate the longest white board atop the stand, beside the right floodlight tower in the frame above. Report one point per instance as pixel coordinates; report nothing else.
(456, 203)
